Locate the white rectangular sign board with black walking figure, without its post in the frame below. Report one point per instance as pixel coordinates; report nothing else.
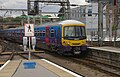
(29, 29)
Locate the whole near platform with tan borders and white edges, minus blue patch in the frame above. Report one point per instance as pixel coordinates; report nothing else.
(43, 68)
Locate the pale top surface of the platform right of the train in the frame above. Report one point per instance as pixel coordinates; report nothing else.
(106, 48)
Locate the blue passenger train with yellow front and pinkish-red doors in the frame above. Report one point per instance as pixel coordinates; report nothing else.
(66, 37)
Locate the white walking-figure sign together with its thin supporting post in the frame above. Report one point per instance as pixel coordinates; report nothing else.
(29, 32)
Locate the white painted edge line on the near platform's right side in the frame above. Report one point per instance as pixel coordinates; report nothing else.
(72, 73)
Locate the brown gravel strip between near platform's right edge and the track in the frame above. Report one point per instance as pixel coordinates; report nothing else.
(76, 67)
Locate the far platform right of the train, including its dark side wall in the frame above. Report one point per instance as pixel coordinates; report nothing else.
(107, 55)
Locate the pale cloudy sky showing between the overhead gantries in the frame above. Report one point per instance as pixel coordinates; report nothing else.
(22, 4)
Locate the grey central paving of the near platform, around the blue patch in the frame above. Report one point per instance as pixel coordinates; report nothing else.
(39, 71)
